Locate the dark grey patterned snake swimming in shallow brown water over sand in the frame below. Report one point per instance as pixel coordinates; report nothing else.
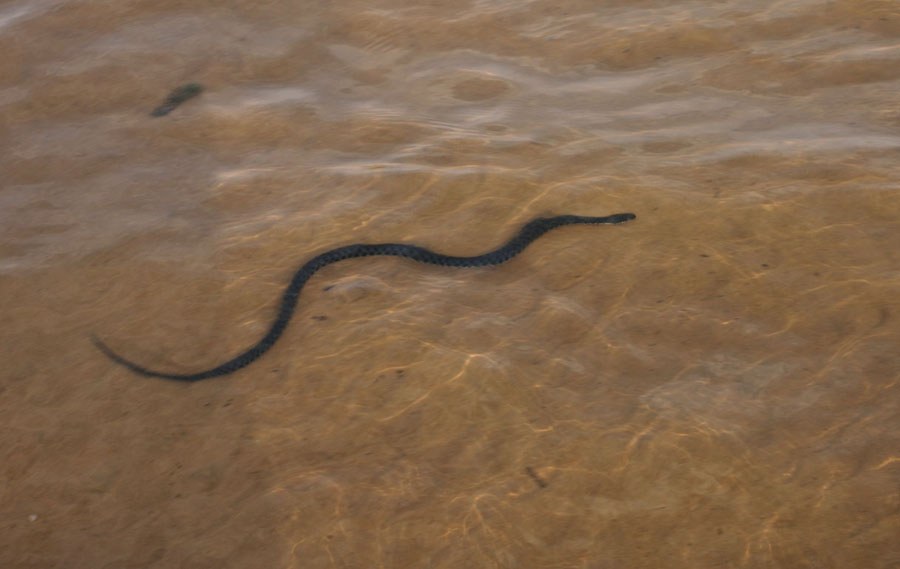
(529, 232)
